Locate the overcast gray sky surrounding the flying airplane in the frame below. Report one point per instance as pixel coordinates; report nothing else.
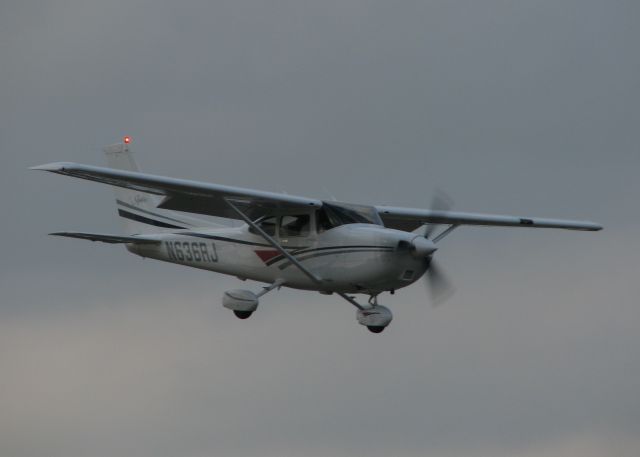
(515, 107)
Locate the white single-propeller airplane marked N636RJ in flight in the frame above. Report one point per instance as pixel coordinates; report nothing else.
(286, 241)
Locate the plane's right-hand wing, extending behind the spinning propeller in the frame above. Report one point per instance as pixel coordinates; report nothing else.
(409, 219)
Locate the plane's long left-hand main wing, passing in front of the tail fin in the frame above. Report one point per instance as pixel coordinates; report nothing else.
(186, 195)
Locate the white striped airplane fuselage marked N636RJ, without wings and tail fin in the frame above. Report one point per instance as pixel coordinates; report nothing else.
(351, 258)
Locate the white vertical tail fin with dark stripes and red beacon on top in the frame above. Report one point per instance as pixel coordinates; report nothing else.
(138, 210)
